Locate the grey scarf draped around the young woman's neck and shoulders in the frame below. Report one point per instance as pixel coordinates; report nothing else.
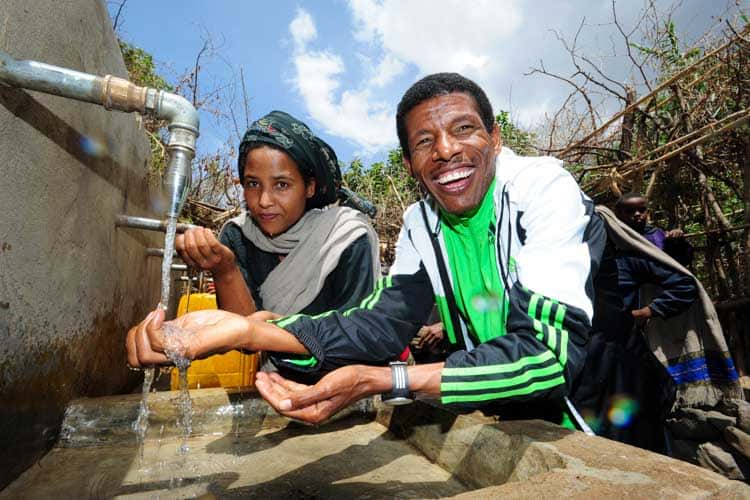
(313, 247)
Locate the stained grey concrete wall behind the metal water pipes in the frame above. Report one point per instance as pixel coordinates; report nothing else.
(70, 282)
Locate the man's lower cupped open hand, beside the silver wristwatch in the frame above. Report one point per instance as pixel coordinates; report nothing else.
(316, 403)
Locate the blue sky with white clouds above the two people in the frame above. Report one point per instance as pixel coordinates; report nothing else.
(341, 66)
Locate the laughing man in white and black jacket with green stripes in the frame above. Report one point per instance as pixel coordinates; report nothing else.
(507, 248)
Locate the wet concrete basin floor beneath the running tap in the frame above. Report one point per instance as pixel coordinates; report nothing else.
(243, 450)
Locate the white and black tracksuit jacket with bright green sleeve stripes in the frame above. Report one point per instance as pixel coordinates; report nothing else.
(549, 243)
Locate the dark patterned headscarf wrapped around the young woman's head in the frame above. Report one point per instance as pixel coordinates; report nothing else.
(313, 156)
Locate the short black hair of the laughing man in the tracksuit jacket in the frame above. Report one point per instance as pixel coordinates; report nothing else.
(440, 84)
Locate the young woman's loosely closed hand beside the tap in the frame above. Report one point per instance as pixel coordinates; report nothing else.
(200, 249)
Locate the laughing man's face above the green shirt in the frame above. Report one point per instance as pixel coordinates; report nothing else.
(452, 155)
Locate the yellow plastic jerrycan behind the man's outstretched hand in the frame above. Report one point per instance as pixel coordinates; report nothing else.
(232, 369)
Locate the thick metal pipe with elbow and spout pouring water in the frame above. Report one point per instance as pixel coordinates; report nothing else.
(120, 94)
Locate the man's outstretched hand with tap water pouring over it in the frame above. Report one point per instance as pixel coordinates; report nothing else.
(206, 332)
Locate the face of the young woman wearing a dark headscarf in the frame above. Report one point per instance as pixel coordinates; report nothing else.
(275, 191)
